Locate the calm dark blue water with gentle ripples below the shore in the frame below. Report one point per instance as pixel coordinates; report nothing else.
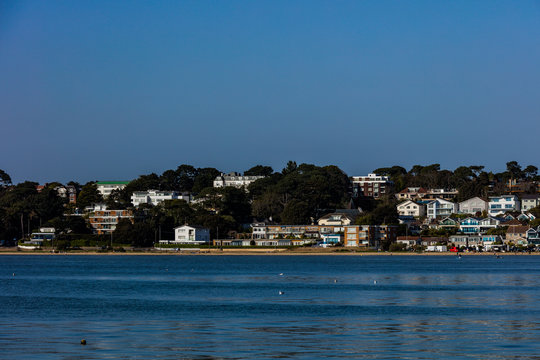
(229, 307)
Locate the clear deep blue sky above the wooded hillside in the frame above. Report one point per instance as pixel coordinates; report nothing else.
(110, 90)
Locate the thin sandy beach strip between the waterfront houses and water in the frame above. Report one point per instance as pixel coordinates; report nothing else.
(252, 252)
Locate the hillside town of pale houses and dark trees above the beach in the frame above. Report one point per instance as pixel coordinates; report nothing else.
(391, 209)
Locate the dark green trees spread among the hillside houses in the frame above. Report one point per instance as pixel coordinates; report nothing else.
(298, 194)
